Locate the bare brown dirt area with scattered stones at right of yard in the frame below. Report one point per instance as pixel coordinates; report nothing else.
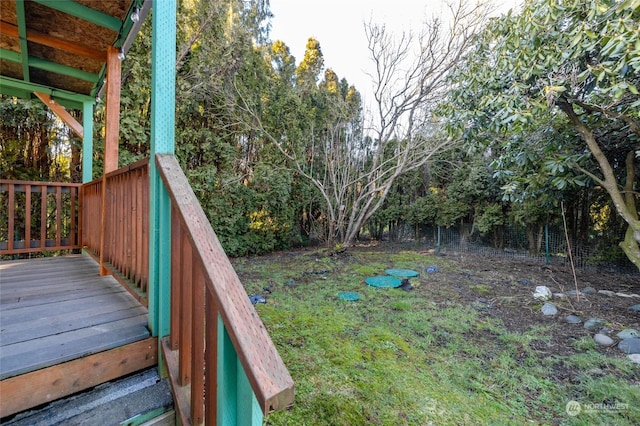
(504, 288)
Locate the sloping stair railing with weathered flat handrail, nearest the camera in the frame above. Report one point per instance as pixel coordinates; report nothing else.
(220, 357)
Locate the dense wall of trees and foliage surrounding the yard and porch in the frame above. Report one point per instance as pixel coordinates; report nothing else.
(537, 113)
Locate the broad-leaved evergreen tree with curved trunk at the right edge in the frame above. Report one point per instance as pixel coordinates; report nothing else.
(550, 94)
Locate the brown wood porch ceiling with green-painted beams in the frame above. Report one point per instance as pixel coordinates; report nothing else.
(59, 47)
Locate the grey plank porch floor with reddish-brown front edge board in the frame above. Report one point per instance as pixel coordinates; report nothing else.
(64, 328)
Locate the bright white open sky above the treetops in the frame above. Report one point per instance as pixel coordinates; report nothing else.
(339, 27)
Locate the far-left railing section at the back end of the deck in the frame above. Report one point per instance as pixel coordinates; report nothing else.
(38, 216)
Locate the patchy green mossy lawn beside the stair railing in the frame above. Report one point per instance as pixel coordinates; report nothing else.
(421, 357)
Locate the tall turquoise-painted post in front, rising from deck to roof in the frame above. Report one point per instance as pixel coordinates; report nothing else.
(163, 60)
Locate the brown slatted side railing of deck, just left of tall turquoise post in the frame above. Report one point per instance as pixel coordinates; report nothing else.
(121, 241)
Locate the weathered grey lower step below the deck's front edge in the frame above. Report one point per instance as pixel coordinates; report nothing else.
(132, 400)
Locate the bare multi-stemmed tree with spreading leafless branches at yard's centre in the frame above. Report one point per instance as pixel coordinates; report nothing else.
(355, 170)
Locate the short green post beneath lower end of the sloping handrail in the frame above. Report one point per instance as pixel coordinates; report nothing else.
(237, 404)
